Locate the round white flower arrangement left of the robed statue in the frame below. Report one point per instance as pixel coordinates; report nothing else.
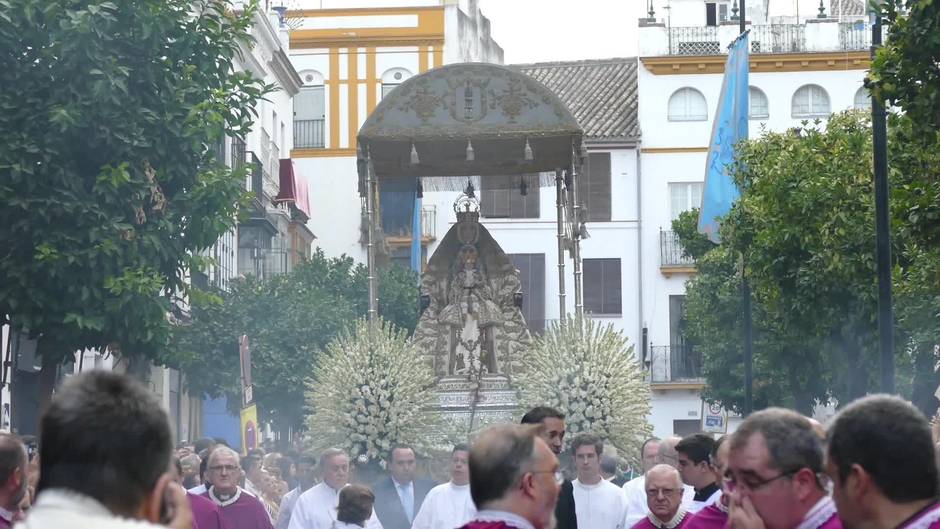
(371, 390)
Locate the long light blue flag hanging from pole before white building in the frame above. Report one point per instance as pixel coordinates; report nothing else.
(729, 128)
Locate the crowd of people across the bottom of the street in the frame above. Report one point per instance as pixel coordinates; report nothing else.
(105, 453)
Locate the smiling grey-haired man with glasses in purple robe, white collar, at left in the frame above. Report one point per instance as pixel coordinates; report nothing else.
(240, 509)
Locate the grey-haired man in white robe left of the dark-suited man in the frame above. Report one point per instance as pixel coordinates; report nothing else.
(316, 508)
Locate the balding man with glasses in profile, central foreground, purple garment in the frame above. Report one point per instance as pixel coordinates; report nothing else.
(514, 479)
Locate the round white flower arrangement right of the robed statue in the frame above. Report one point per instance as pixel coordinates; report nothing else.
(588, 372)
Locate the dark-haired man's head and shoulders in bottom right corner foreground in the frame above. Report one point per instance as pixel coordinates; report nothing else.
(882, 465)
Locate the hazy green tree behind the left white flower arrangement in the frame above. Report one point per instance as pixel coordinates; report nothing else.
(289, 319)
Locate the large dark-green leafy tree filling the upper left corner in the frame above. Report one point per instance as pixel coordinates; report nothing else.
(108, 184)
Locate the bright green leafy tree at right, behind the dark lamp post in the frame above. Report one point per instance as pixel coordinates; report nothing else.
(803, 232)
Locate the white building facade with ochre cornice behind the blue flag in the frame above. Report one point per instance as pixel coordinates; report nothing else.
(802, 68)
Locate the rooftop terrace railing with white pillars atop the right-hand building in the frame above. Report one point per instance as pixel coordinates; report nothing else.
(825, 35)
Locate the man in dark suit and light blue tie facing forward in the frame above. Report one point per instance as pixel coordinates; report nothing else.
(398, 497)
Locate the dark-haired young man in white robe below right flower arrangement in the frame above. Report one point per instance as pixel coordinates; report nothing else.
(599, 503)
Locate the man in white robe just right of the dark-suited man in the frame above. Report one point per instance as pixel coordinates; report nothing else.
(449, 505)
